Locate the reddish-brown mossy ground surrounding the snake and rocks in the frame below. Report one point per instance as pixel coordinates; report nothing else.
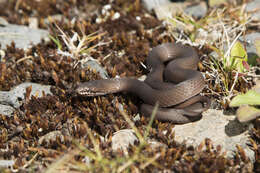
(127, 42)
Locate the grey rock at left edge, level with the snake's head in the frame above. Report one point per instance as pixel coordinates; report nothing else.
(15, 97)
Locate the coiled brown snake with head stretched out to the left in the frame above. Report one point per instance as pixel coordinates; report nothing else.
(173, 83)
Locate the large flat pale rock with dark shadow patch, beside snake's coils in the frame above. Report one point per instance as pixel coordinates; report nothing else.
(223, 130)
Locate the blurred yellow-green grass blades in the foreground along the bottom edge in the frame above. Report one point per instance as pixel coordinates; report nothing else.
(98, 161)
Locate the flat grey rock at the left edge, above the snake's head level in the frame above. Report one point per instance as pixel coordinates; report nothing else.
(22, 36)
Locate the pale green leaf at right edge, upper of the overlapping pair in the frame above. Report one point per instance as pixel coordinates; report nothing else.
(250, 98)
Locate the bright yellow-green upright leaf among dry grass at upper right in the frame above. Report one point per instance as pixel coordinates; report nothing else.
(237, 56)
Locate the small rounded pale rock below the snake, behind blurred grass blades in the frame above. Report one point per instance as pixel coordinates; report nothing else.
(122, 139)
